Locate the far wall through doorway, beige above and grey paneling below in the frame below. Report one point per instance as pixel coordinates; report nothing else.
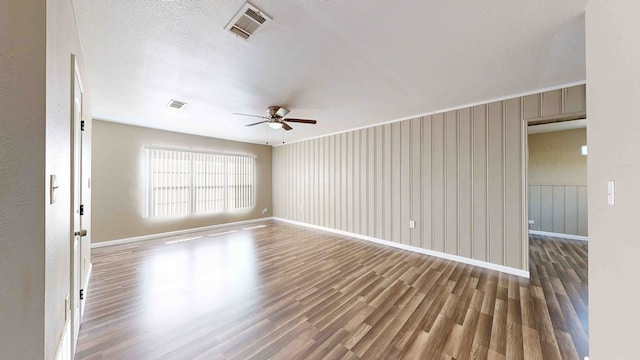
(558, 182)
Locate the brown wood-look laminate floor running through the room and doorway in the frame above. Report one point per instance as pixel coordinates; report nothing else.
(277, 291)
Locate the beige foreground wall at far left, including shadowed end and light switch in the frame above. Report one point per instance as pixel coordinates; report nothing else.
(37, 41)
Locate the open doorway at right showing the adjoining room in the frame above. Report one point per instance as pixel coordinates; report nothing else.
(558, 219)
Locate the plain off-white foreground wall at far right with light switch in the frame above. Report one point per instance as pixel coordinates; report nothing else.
(613, 74)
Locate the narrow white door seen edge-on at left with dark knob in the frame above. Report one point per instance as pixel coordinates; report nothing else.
(78, 232)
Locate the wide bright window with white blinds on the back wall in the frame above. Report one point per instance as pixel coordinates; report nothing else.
(186, 182)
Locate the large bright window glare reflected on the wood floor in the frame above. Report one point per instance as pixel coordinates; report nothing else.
(184, 281)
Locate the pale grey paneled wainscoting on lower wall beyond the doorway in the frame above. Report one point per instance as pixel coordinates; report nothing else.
(558, 208)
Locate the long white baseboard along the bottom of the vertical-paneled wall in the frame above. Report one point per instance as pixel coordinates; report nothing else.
(465, 260)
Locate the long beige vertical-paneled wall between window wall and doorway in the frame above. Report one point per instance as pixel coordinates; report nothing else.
(460, 175)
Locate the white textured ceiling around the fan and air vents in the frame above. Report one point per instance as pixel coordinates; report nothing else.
(348, 64)
